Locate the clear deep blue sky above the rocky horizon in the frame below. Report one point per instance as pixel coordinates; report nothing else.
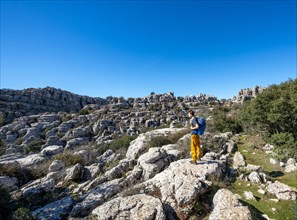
(132, 48)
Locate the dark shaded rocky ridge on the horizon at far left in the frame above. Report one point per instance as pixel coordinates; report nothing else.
(17, 103)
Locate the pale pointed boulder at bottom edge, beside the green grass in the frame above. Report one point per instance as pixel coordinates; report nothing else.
(227, 206)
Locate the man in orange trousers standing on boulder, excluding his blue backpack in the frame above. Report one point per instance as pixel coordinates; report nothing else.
(195, 139)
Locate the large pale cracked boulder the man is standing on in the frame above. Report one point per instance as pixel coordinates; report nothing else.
(181, 183)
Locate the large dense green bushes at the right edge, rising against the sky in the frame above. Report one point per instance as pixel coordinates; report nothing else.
(273, 114)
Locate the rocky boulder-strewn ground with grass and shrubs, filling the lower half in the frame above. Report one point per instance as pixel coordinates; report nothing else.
(129, 159)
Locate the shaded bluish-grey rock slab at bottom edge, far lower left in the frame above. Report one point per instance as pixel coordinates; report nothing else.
(55, 209)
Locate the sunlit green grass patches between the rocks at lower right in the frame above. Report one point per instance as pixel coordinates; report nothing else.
(285, 210)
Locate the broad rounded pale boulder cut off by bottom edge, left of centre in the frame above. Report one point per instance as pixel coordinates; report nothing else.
(139, 206)
